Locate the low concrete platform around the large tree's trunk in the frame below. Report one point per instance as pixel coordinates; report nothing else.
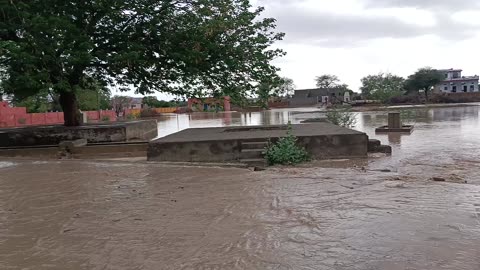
(104, 133)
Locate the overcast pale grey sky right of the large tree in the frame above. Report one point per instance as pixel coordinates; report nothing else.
(355, 38)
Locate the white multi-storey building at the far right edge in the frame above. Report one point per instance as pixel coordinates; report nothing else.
(454, 82)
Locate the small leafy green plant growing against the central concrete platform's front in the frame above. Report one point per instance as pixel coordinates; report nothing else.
(286, 151)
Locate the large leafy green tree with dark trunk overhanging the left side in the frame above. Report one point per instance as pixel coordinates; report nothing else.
(183, 47)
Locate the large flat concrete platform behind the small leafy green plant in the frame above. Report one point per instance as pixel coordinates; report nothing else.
(225, 144)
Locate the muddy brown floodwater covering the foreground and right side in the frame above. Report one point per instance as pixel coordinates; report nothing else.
(381, 213)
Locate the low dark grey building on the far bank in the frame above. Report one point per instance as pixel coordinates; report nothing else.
(315, 96)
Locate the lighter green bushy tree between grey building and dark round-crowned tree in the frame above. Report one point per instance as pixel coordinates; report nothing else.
(383, 87)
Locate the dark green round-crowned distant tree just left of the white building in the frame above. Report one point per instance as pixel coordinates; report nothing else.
(424, 79)
